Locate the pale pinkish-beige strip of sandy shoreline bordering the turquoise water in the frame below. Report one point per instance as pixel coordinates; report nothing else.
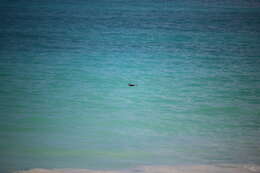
(219, 168)
